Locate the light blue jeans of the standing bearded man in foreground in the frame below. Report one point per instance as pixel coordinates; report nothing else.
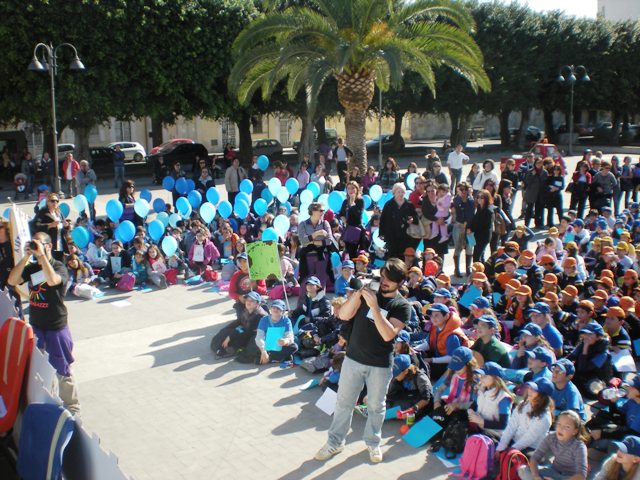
(353, 377)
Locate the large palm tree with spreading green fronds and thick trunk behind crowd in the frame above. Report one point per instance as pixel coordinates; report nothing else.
(362, 43)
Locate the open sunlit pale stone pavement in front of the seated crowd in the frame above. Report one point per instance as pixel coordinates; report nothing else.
(152, 390)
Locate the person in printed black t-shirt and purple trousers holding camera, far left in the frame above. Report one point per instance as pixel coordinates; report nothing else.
(47, 279)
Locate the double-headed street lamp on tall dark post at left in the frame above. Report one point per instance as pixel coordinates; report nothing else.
(49, 64)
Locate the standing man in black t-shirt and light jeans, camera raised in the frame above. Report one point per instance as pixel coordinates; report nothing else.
(377, 318)
